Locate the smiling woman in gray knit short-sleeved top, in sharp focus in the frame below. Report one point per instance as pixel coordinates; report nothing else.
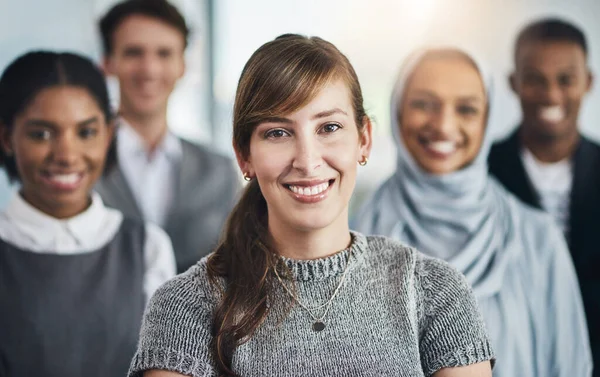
(290, 291)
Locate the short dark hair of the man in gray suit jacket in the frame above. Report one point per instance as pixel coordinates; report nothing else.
(161, 10)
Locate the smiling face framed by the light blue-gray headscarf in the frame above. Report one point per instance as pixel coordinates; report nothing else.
(443, 114)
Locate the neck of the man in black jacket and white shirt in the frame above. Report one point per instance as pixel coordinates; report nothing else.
(549, 150)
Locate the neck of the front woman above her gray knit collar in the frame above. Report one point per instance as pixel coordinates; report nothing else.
(313, 244)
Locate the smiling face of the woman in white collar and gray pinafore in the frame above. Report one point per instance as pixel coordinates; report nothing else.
(60, 143)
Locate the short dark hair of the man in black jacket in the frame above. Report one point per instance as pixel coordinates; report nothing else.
(551, 30)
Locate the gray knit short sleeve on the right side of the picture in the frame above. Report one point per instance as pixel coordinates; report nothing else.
(452, 330)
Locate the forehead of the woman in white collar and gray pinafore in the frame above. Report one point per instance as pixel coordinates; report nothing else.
(62, 105)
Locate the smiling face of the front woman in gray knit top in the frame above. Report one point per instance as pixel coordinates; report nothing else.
(305, 162)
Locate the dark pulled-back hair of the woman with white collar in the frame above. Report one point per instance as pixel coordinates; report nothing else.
(35, 71)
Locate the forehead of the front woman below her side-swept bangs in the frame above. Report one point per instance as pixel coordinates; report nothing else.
(334, 94)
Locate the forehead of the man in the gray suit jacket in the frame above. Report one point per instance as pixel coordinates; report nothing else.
(145, 31)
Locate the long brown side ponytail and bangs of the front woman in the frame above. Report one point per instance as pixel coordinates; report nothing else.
(281, 77)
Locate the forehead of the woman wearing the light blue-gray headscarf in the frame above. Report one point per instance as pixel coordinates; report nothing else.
(447, 77)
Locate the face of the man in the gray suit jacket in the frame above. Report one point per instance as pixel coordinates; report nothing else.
(147, 58)
